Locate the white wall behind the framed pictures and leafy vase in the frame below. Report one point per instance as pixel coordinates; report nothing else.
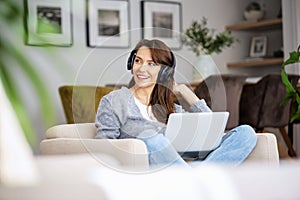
(80, 64)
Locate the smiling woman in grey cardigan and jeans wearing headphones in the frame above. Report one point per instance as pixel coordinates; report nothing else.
(142, 111)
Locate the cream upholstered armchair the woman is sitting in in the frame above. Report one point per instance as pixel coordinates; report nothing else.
(79, 138)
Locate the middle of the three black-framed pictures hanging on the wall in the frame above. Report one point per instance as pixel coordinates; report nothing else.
(107, 23)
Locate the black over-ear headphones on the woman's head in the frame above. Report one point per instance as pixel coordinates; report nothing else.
(165, 72)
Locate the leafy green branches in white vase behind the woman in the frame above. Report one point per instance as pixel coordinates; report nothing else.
(203, 41)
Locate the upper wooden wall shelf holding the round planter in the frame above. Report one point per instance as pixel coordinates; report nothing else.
(255, 26)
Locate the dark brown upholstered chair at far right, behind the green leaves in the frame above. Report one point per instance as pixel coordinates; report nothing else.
(260, 106)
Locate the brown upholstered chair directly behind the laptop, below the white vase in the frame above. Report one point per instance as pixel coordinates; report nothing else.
(222, 93)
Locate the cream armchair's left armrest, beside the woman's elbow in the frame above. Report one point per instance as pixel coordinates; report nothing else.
(129, 152)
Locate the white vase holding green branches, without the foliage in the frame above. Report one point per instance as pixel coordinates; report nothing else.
(204, 67)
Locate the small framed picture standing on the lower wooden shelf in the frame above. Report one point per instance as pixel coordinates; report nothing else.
(258, 46)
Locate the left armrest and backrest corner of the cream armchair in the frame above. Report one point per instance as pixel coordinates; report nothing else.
(78, 138)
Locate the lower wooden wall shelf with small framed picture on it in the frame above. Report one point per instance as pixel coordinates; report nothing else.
(253, 63)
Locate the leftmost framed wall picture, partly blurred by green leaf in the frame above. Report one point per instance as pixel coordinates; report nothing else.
(48, 22)
